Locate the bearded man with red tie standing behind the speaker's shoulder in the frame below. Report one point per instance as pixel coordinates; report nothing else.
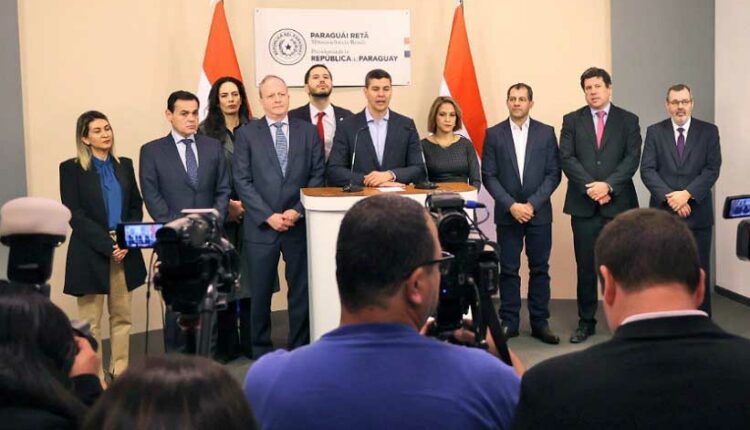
(320, 112)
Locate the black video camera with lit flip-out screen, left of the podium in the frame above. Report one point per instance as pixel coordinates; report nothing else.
(197, 267)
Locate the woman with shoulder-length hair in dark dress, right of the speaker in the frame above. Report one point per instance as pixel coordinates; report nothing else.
(450, 157)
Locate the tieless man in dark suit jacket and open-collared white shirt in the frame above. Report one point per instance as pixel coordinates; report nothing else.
(521, 169)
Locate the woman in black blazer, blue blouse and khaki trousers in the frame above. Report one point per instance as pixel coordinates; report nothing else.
(100, 191)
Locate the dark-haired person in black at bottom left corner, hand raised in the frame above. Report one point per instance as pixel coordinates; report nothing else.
(47, 376)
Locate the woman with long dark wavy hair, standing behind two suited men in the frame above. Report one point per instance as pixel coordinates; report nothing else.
(228, 111)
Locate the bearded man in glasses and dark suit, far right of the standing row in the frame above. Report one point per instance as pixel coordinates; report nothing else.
(680, 165)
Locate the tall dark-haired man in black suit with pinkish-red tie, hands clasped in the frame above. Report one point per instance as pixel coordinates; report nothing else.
(600, 147)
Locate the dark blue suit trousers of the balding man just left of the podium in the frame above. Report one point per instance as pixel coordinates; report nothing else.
(263, 263)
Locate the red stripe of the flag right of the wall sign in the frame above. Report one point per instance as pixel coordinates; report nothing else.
(461, 79)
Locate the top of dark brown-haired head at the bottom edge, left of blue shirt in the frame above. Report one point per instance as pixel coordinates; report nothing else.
(172, 392)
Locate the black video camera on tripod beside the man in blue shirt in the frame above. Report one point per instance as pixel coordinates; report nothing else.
(472, 278)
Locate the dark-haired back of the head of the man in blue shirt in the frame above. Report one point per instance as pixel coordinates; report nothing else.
(382, 239)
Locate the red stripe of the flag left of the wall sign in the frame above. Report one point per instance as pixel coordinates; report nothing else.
(220, 59)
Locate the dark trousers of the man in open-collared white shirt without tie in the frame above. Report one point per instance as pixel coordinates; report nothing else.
(538, 239)
